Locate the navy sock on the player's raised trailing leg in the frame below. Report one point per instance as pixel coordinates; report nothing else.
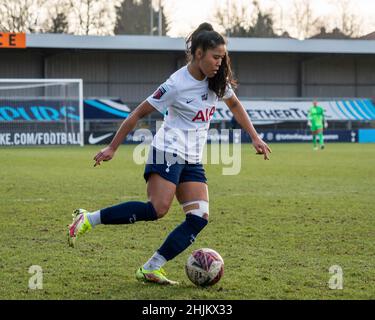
(128, 212)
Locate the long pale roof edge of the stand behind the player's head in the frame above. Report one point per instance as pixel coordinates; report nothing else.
(157, 43)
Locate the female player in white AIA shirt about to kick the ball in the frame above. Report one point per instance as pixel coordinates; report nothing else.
(174, 167)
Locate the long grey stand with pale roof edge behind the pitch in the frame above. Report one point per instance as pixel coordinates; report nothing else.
(129, 68)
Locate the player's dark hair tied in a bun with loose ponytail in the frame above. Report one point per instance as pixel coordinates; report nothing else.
(205, 37)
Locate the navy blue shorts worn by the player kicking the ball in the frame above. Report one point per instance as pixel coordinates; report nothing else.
(176, 171)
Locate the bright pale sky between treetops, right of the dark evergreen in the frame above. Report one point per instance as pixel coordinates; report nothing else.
(186, 15)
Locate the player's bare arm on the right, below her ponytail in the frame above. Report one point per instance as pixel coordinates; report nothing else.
(243, 119)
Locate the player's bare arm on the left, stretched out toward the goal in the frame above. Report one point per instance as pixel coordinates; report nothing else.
(144, 109)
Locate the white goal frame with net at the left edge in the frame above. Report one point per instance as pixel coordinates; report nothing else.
(41, 112)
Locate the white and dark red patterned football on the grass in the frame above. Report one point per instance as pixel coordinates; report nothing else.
(204, 267)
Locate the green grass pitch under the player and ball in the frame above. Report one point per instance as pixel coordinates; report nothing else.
(279, 225)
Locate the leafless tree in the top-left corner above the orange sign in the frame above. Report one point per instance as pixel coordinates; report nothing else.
(21, 15)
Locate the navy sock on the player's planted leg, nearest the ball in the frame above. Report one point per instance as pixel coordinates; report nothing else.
(182, 237)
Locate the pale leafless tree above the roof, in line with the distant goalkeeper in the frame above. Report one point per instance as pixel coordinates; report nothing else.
(304, 20)
